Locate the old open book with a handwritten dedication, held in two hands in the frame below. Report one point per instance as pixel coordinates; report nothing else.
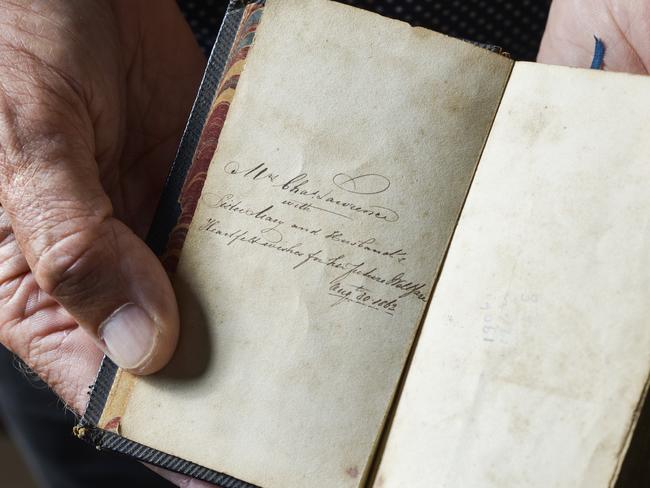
(401, 260)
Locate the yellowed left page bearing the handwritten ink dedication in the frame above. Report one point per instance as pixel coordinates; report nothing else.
(337, 182)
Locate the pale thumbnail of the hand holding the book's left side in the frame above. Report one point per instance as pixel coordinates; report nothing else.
(130, 336)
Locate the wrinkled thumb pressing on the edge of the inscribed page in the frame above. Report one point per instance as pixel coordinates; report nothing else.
(92, 264)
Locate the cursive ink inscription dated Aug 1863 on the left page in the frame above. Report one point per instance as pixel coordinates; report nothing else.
(363, 267)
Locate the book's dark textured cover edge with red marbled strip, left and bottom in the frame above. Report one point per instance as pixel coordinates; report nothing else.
(174, 213)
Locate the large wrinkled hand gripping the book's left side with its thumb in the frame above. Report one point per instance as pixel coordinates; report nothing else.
(93, 100)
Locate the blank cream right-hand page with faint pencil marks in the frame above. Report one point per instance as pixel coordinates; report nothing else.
(536, 349)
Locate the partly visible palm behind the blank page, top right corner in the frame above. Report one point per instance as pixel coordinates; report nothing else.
(623, 25)
